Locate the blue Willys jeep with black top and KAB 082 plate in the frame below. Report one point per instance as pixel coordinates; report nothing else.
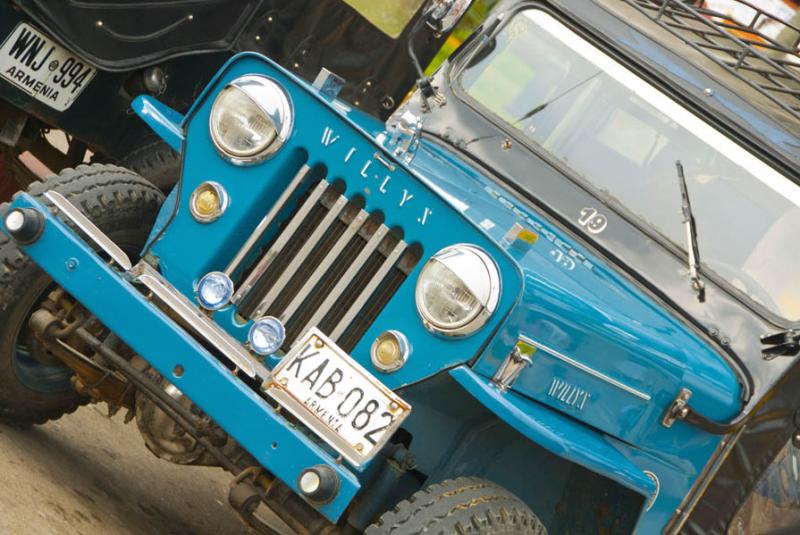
(555, 292)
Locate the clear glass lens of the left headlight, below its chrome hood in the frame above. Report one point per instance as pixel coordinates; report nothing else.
(240, 126)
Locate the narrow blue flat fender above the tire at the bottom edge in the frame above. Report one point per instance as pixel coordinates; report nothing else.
(556, 433)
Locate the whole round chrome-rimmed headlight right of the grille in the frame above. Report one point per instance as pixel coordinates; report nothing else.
(458, 290)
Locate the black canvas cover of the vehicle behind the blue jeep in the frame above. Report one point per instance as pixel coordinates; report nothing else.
(301, 35)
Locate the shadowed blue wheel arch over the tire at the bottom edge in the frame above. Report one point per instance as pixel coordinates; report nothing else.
(472, 437)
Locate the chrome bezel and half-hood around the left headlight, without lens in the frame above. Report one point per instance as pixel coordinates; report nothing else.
(273, 101)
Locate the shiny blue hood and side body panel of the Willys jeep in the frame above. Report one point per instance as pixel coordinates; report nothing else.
(580, 308)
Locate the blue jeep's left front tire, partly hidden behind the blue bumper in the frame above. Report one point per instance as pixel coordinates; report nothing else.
(34, 386)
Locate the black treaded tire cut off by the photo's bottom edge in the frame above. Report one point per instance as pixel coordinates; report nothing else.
(466, 505)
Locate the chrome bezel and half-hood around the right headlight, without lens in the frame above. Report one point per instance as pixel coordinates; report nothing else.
(479, 274)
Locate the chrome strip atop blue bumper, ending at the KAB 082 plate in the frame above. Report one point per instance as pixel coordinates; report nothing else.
(199, 322)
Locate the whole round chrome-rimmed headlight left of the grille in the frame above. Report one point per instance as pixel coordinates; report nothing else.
(251, 119)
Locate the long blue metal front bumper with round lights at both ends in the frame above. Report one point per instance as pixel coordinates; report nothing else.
(112, 297)
